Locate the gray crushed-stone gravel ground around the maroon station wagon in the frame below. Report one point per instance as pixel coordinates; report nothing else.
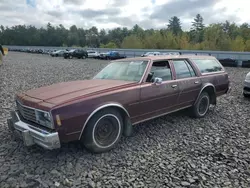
(172, 151)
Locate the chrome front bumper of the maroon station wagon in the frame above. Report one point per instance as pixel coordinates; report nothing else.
(32, 135)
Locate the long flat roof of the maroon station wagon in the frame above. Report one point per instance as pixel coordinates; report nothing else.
(163, 57)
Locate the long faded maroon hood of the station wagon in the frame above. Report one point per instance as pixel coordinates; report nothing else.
(60, 93)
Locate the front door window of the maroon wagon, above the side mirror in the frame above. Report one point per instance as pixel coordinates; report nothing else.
(160, 69)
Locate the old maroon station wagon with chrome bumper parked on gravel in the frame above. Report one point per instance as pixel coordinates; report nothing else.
(97, 112)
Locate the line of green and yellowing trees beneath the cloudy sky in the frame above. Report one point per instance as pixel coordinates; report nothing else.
(220, 36)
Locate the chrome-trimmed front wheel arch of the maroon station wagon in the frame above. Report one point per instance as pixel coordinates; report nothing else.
(125, 114)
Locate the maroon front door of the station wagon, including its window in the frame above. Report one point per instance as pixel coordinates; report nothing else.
(157, 98)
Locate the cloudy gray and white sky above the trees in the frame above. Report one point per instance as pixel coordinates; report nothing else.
(108, 14)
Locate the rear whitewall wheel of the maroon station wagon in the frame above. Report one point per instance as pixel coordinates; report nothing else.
(200, 109)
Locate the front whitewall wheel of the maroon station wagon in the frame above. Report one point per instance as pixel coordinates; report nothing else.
(103, 131)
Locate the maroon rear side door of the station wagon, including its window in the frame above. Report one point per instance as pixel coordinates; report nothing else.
(188, 81)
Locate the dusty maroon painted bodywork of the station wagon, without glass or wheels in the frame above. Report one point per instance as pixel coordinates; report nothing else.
(76, 101)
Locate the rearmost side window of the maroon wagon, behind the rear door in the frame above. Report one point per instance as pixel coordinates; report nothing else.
(207, 65)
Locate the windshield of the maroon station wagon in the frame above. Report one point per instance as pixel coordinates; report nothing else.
(123, 70)
